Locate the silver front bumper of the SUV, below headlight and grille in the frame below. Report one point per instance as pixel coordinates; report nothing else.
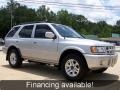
(95, 62)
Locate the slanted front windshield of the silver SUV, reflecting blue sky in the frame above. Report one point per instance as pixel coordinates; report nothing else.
(66, 31)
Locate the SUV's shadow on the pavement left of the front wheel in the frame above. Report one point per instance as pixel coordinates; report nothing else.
(41, 70)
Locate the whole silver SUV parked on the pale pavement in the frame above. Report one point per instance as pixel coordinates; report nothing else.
(59, 45)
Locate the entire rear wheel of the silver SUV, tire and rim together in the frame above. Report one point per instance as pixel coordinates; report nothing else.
(14, 58)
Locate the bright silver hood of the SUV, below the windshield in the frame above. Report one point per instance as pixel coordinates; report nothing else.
(88, 42)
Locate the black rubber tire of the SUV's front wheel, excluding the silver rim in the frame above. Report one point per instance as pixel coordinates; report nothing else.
(82, 71)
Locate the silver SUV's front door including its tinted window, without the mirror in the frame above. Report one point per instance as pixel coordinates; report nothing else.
(44, 48)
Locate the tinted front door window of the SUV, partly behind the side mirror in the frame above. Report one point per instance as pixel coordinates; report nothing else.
(41, 30)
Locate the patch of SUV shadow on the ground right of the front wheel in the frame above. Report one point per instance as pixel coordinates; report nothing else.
(102, 79)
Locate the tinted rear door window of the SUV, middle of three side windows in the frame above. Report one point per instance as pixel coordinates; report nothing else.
(26, 31)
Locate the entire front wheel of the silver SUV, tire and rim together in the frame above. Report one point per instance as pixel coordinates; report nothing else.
(67, 68)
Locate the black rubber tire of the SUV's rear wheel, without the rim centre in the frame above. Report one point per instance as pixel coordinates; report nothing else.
(18, 60)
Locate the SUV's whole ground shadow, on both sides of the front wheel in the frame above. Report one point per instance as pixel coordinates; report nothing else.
(52, 73)
